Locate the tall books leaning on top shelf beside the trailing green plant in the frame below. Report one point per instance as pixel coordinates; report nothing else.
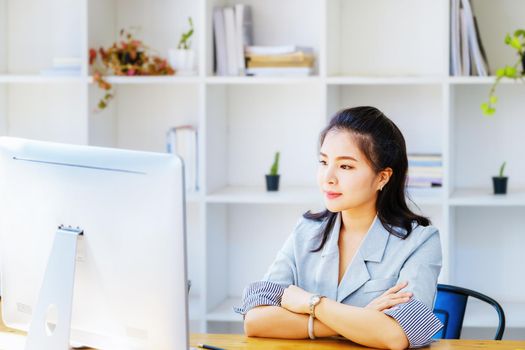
(467, 55)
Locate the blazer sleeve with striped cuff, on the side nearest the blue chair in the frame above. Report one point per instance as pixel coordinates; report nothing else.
(421, 270)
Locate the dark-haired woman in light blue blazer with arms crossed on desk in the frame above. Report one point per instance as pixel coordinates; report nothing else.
(366, 268)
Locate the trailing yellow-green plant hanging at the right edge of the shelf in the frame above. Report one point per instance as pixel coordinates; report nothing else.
(517, 42)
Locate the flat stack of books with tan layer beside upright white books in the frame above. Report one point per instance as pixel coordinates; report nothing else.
(289, 60)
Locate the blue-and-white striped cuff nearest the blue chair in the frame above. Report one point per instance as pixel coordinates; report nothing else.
(418, 322)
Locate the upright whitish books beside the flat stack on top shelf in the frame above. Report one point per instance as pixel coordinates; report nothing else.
(232, 32)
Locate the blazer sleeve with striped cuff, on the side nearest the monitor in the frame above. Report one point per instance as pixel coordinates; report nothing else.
(281, 273)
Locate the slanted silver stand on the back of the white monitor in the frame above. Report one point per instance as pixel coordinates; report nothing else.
(56, 294)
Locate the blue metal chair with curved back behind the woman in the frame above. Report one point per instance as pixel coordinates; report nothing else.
(450, 305)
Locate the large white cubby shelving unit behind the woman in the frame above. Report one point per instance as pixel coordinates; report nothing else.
(393, 55)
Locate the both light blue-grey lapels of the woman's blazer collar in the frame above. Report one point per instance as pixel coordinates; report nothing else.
(372, 249)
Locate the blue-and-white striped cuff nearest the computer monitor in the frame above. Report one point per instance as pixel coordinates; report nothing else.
(260, 293)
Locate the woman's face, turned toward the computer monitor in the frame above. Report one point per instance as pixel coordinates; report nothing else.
(345, 177)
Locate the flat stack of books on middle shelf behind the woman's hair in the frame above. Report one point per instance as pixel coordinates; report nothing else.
(425, 170)
